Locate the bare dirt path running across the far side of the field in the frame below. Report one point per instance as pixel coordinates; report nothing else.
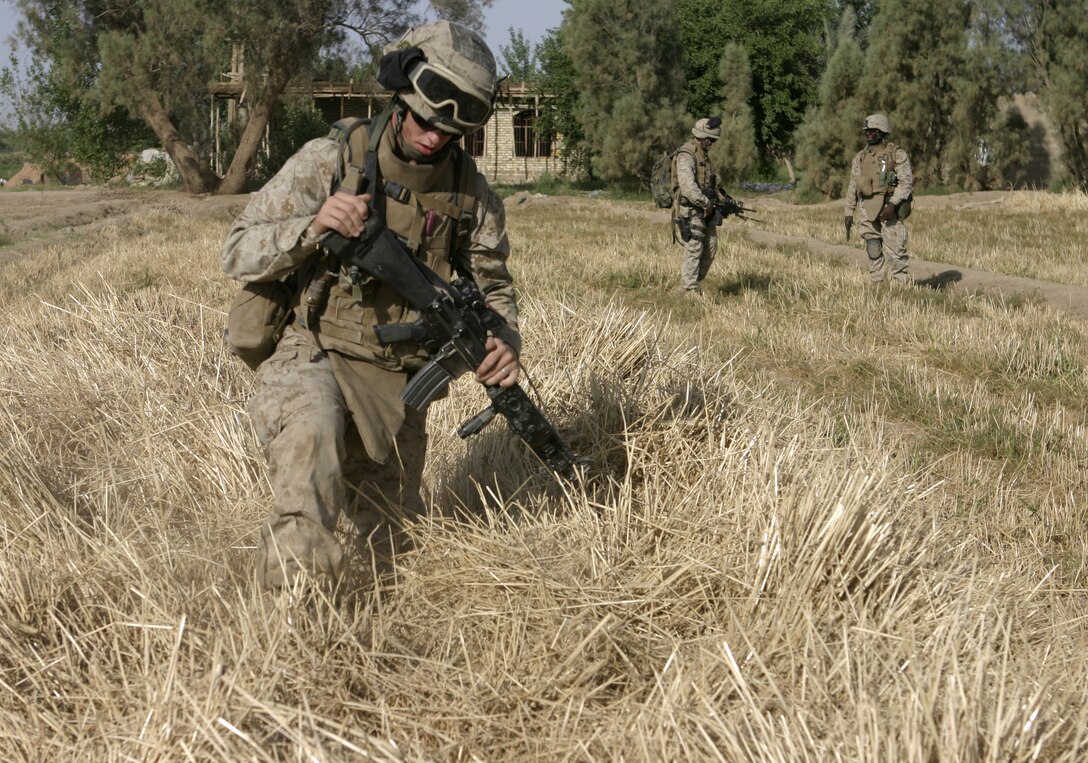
(33, 219)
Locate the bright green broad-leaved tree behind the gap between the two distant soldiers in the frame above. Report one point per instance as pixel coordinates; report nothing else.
(787, 53)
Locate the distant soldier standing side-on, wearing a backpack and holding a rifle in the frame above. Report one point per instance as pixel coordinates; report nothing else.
(697, 188)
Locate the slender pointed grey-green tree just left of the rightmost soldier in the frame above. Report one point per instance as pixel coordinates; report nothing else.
(831, 134)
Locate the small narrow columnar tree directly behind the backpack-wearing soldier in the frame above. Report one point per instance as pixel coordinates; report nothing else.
(735, 155)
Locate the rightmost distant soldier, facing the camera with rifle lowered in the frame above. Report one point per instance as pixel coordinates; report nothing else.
(880, 195)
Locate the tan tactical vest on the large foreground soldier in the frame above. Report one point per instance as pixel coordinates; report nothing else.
(431, 208)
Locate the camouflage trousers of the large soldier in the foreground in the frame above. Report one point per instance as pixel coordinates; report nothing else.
(318, 467)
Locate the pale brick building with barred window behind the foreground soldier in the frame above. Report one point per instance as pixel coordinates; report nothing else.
(511, 149)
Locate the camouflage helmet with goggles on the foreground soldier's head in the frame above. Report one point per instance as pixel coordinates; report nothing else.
(446, 73)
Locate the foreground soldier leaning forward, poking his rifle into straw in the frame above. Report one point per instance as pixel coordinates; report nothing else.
(327, 404)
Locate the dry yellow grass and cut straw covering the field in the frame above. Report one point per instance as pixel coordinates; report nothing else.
(824, 522)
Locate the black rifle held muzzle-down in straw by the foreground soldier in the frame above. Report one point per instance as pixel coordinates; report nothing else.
(453, 328)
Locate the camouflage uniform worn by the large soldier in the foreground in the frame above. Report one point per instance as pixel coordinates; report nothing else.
(327, 405)
